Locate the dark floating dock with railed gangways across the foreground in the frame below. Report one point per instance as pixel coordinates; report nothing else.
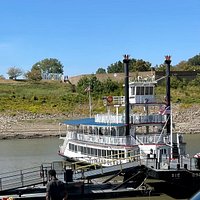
(91, 181)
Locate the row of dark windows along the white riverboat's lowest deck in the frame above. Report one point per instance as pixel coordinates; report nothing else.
(100, 152)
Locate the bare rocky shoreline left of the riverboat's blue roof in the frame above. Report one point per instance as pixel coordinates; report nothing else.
(25, 126)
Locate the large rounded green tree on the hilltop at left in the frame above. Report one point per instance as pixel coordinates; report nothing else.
(51, 65)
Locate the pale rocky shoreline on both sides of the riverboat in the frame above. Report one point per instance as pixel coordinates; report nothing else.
(26, 125)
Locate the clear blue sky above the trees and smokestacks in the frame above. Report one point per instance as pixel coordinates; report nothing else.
(87, 34)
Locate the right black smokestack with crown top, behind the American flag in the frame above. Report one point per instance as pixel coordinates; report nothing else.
(168, 103)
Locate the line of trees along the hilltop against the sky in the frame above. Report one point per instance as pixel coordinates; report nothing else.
(52, 66)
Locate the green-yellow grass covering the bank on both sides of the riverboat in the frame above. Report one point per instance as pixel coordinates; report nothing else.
(55, 97)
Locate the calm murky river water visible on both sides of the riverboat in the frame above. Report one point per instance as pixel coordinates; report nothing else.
(25, 153)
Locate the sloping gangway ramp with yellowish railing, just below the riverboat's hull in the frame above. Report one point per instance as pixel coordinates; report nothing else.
(104, 171)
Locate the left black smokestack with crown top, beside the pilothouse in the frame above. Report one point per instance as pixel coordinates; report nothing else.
(126, 80)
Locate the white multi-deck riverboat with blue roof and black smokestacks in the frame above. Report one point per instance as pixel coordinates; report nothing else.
(137, 125)
